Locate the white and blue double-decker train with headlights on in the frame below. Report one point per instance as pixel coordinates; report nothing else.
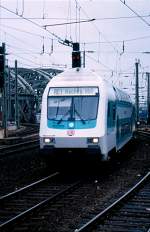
(81, 110)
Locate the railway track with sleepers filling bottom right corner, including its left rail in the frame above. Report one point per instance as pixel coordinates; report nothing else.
(129, 213)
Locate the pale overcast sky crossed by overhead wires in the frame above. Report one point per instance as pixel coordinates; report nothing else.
(102, 39)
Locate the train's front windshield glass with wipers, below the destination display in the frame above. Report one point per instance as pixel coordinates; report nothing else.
(74, 107)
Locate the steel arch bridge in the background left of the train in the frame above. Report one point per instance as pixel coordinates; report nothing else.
(30, 86)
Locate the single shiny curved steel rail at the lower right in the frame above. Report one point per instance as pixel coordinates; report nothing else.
(106, 211)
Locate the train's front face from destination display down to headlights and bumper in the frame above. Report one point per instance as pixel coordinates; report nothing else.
(71, 119)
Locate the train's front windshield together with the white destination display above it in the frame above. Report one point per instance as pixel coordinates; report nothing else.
(81, 106)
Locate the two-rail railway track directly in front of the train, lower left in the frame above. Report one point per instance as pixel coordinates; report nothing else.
(16, 205)
